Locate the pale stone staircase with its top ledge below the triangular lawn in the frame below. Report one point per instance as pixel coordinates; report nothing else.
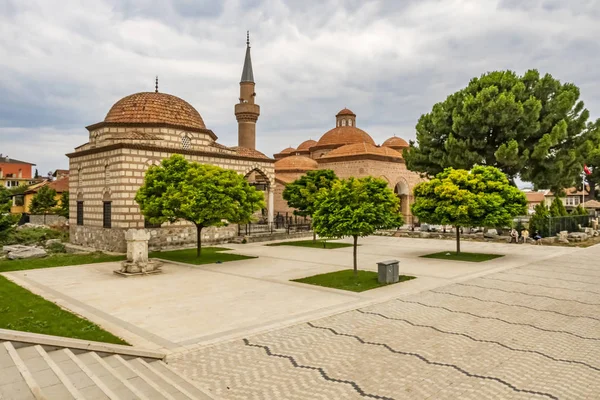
(43, 367)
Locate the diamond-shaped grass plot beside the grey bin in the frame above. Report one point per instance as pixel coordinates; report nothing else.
(345, 280)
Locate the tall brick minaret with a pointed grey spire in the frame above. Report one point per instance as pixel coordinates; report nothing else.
(246, 112)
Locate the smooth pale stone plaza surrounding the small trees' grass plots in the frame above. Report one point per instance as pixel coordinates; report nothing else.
(189, 306)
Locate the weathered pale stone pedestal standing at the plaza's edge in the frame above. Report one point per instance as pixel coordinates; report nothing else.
(137, 255)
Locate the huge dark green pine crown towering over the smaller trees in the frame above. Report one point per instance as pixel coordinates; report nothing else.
(527, 126)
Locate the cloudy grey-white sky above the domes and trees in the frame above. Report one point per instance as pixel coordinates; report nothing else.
(63, 63)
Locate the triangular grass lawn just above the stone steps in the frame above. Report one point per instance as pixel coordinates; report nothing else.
(22, 310)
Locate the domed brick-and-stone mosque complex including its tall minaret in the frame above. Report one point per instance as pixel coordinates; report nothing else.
(144, 128)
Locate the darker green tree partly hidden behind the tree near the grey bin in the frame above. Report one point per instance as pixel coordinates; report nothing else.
(301, 194)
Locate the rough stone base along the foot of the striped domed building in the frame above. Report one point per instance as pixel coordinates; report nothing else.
(172, 236)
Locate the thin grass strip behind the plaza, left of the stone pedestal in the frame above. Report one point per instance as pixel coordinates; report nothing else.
(57, 260)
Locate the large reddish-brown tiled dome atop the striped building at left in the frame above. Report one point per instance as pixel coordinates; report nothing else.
(155, 108)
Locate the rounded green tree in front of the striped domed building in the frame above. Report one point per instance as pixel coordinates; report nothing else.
(202, 194)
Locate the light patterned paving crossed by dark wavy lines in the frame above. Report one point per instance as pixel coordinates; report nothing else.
(531, 332)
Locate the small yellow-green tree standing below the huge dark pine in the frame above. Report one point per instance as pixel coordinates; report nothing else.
(480, 197)
